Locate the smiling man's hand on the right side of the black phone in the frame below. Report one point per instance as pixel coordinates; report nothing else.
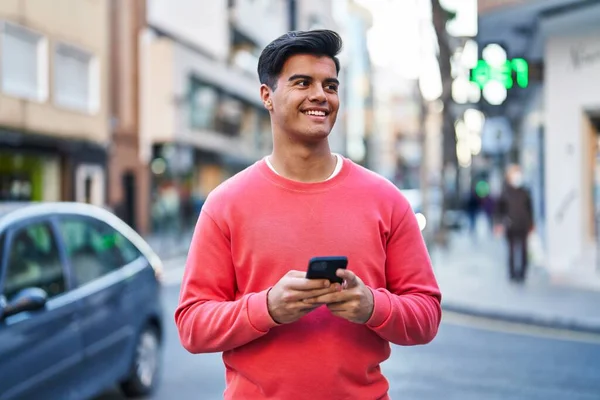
(354, 302)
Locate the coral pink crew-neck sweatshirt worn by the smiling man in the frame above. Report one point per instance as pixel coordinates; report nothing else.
(257, 226)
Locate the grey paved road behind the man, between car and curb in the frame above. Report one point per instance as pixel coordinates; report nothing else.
(470, 359)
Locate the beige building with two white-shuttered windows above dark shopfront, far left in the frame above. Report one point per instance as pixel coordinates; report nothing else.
(54, 129)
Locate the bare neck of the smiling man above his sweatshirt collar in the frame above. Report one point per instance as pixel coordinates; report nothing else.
(304, 163)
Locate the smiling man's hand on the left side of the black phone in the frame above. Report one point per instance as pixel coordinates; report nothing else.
(287, 299)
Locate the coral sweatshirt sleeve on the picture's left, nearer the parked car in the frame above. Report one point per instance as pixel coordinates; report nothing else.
(209, 318)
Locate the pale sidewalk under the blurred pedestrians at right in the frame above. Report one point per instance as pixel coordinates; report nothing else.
(473, 276)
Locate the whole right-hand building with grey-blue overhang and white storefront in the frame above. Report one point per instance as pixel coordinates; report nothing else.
(556, 122)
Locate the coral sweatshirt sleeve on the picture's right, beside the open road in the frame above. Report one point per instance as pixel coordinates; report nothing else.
(408, 311)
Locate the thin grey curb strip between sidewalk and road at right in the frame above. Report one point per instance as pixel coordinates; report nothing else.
(524, 318)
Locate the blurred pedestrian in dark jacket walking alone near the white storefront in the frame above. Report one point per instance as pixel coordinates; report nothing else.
(514, 213)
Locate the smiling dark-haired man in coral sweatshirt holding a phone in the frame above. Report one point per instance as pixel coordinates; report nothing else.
(245, 291)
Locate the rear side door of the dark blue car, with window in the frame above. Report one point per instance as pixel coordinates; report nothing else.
(96, 262)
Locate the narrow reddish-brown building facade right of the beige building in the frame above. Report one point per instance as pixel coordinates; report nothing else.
(129, 172)
